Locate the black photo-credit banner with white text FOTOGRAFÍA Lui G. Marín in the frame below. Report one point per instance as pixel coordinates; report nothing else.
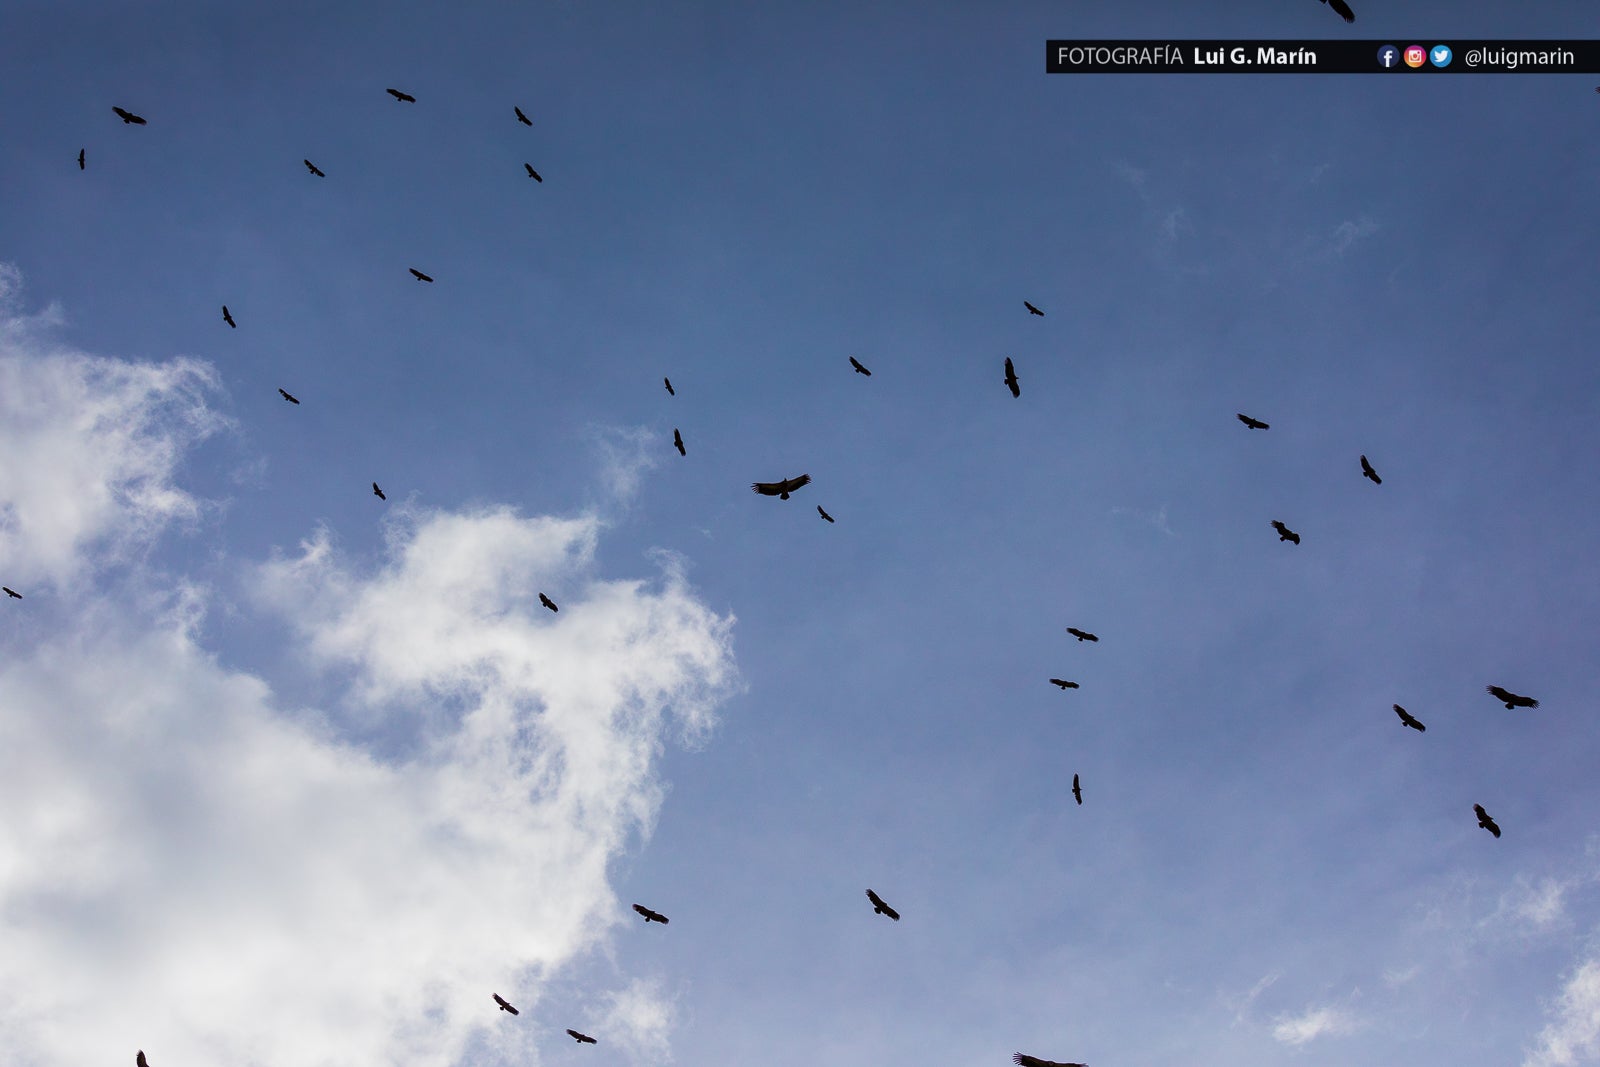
(1322, 57)
